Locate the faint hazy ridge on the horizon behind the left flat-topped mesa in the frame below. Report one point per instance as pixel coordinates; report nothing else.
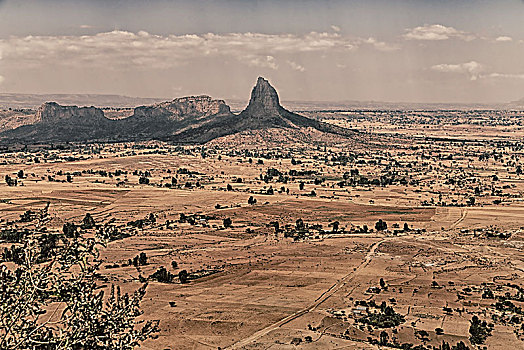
(18, 101)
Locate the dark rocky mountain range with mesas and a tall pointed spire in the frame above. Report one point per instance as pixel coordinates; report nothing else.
(194, 119)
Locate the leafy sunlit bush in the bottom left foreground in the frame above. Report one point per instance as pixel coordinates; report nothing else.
(62, 286)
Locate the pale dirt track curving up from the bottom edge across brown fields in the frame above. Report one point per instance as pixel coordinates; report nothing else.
(327, 294)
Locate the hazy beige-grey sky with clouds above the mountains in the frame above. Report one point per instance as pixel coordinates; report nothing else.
(416, 51)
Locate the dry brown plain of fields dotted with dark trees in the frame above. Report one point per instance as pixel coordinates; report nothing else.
(302, 266)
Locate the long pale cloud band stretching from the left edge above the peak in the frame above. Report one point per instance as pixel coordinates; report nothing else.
(123, 50)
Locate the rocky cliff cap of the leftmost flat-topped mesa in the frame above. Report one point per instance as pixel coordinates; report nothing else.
(51, 112)
